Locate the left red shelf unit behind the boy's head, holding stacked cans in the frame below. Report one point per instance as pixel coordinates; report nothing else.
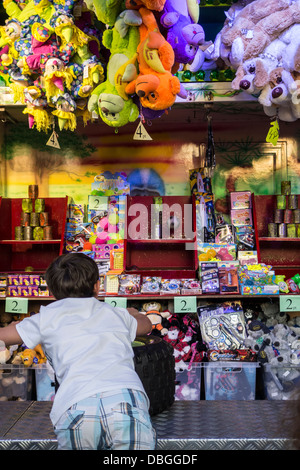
(16, 255)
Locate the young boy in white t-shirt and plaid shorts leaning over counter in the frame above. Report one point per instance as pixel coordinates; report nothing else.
(100, 402)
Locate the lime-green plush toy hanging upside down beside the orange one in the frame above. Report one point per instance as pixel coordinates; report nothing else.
(109, 99)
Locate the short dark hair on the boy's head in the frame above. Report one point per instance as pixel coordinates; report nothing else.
(72, 275)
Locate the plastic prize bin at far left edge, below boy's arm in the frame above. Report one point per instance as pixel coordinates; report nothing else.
(15, 382)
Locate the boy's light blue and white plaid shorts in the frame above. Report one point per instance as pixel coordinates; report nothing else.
(107, 421)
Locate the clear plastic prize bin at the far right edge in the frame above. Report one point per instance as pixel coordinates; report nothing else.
(281, 381)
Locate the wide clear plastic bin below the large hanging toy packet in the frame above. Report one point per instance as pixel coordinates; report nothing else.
(230, 380)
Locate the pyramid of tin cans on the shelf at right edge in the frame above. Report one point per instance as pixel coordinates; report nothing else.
(286, 214)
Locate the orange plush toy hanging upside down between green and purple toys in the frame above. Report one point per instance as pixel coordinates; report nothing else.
(155, 85)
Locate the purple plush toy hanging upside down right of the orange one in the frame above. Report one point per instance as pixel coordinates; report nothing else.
(182, 33)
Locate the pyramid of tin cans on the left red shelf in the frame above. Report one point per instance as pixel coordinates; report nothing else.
(34, 220)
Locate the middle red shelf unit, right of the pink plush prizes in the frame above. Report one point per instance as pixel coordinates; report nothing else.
(165, 257)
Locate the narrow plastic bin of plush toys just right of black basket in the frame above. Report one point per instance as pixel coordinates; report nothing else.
(188, 382)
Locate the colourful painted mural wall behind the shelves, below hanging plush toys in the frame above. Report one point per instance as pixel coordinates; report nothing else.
(244, 160)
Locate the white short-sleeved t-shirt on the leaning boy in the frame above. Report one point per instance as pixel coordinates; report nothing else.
(88, 344)
